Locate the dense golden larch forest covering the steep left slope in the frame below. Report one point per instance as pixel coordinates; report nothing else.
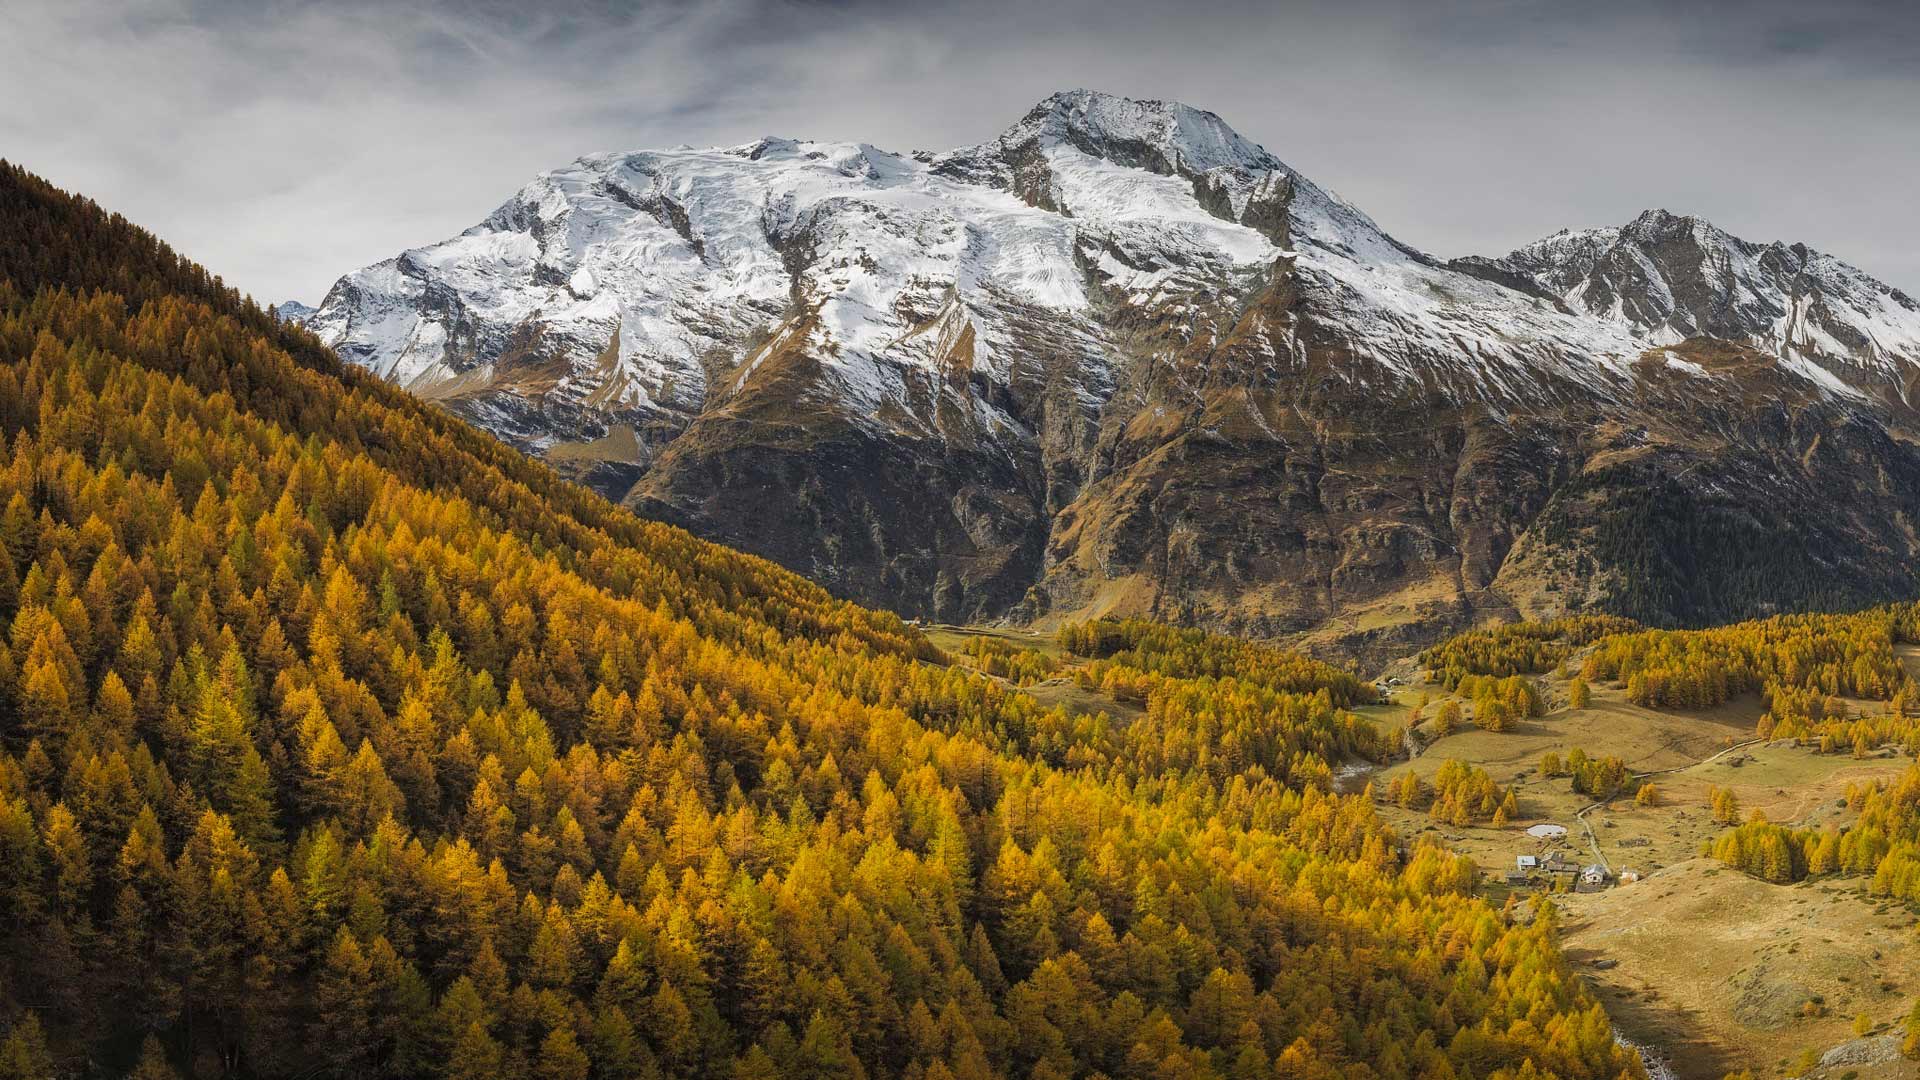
(339, 741)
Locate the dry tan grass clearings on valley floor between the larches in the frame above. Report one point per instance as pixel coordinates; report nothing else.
(1716, 970)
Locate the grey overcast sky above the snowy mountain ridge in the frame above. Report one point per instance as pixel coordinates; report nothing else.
(285, 143)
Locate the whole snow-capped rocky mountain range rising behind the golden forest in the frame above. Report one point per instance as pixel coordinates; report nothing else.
(1122, 360)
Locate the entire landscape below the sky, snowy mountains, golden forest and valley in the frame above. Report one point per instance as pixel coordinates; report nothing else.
(341, 741)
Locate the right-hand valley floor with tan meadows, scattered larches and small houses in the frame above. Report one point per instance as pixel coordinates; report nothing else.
(1783, 749)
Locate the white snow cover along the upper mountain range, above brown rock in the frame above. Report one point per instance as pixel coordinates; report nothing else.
(652, 283)
